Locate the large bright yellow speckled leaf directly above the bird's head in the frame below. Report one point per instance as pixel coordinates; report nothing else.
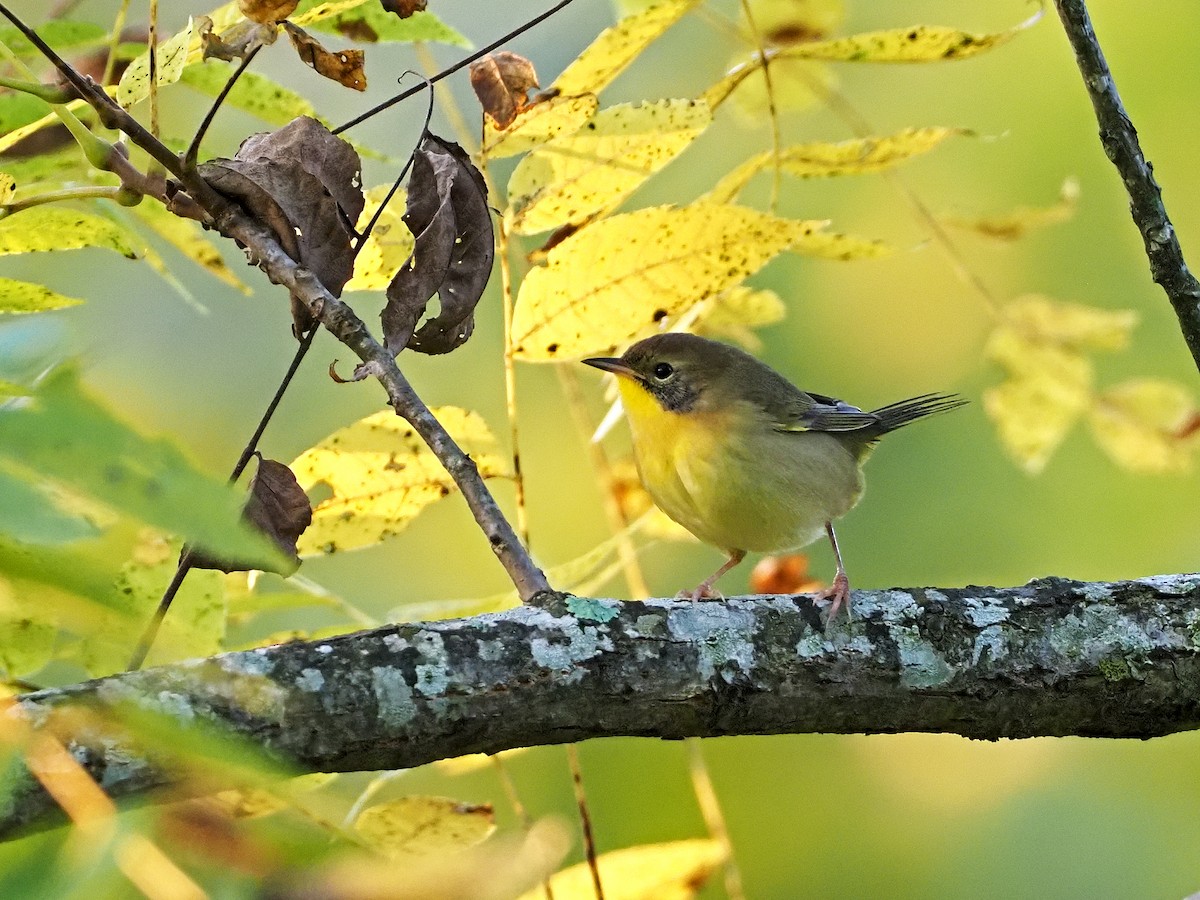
(610, 281)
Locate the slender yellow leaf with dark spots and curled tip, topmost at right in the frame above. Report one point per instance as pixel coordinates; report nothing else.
(919, 44)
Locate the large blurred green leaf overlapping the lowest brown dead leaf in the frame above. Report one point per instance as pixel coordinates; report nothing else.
(67, 436)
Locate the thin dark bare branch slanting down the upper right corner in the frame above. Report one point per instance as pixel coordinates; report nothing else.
(1120, 142)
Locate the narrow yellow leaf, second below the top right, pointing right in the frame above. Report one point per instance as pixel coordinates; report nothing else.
(845, 158)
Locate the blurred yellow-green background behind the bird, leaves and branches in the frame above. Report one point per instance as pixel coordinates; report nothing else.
(811, 815)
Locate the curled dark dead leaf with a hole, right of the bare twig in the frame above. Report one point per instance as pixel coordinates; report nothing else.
(452, 225)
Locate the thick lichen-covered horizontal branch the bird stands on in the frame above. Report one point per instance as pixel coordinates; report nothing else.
(1052, 658)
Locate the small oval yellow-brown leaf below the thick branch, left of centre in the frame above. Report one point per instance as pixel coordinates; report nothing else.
(422, 826)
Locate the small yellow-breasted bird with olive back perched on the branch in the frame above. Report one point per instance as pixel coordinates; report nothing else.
(740, 457)
